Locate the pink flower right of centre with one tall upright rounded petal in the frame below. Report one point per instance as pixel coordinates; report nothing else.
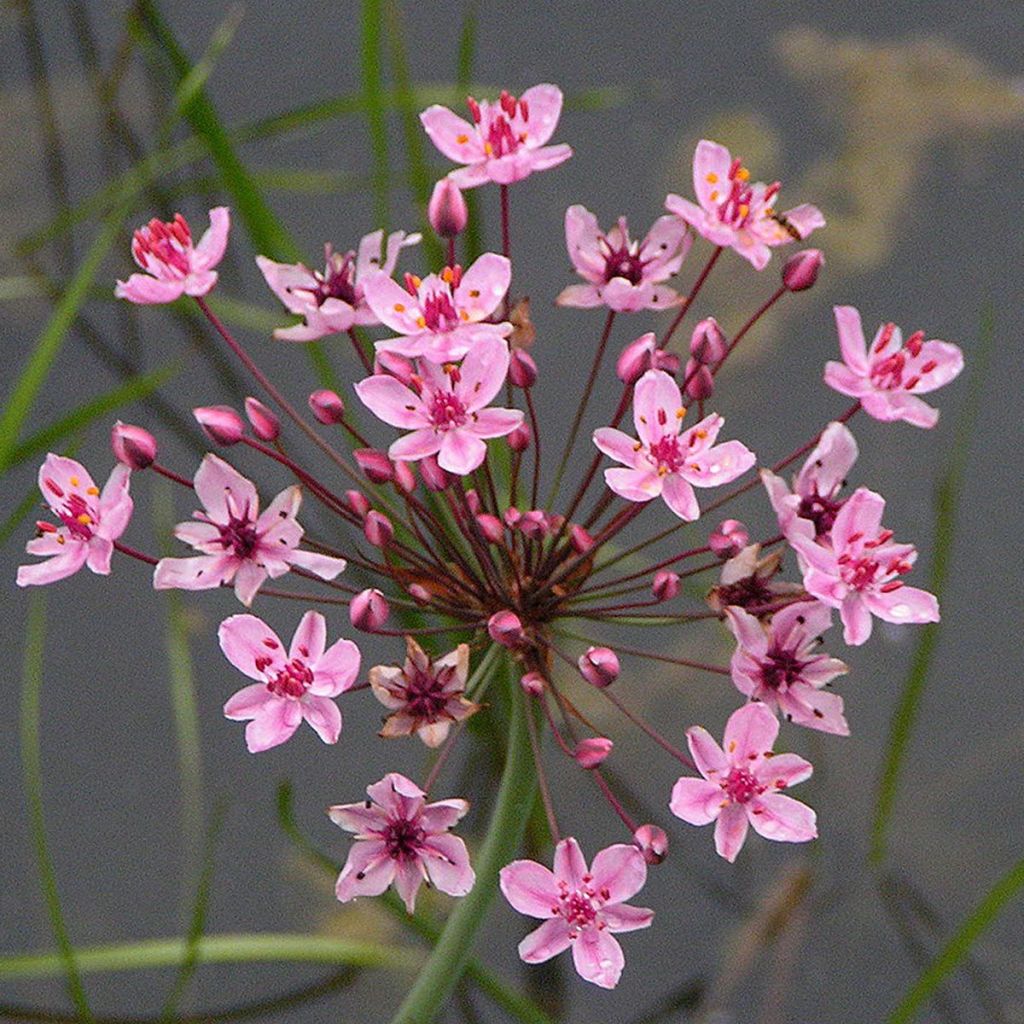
(665, 462)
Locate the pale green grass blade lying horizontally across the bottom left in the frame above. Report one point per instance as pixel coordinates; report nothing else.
(268, 948)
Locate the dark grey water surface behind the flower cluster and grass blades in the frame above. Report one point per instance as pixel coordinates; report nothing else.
(924, 198)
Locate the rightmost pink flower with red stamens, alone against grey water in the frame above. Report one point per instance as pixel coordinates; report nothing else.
(889, 376)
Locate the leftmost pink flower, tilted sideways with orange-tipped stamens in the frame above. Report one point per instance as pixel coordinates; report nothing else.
(92, 522)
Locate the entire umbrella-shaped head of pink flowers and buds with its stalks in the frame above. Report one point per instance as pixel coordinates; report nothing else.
(485, 583)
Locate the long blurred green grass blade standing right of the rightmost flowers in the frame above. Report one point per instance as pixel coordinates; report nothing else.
(947, 502)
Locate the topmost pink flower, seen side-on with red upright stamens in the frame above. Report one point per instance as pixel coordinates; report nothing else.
(506, 141)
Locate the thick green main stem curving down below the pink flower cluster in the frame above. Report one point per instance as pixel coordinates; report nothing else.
(451, 955)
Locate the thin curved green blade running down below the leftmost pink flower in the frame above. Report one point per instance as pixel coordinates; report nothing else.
(32, 687)
